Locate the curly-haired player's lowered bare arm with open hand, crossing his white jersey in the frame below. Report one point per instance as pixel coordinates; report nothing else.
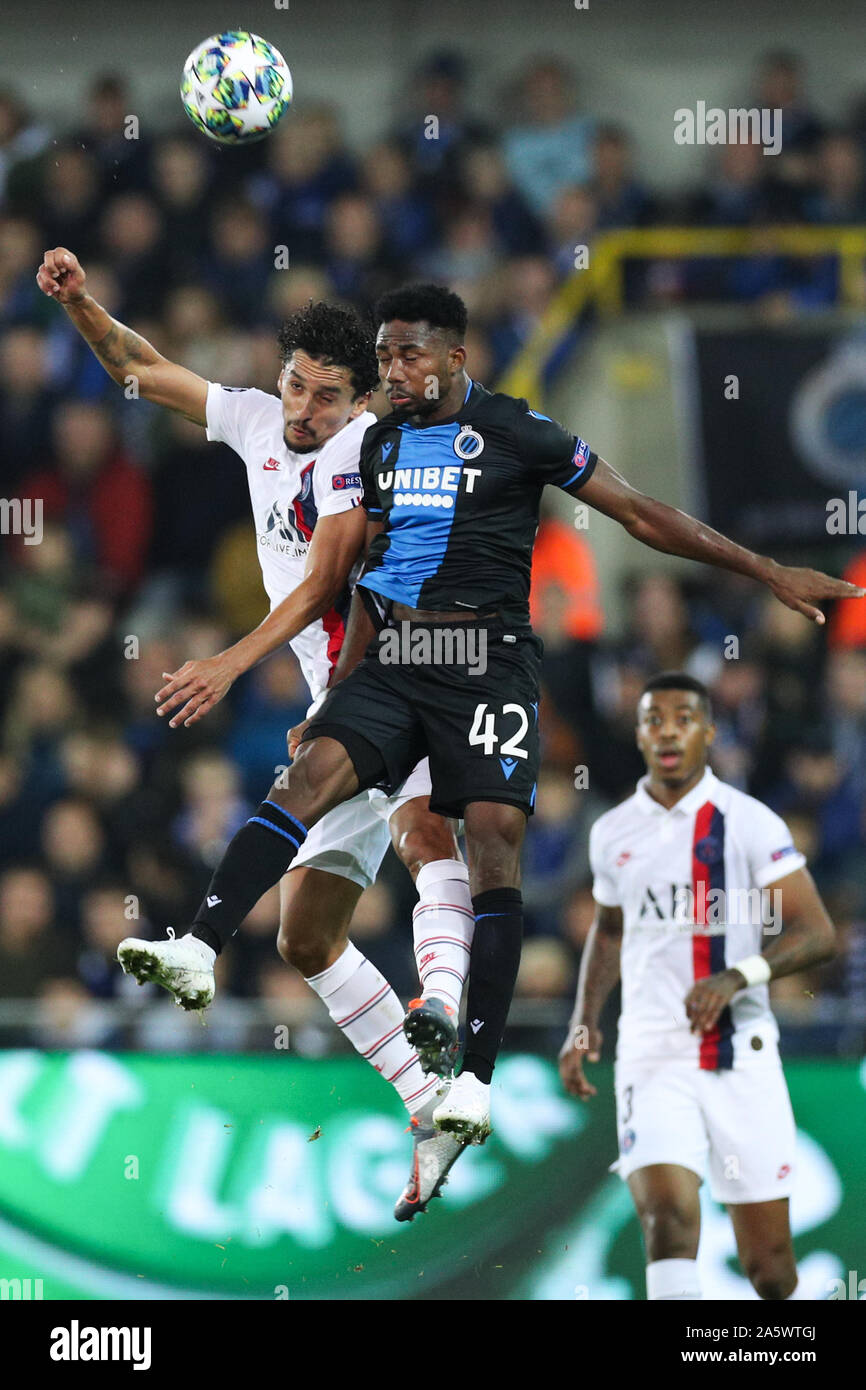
(199, 686)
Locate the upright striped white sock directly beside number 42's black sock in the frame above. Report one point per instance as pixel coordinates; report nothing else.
(443, 926)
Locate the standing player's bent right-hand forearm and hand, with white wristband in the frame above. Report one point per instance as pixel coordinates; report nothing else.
(807, 939)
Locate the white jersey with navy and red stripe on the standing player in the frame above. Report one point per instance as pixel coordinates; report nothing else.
(689, 882)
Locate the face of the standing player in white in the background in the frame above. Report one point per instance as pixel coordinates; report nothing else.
(675, 736)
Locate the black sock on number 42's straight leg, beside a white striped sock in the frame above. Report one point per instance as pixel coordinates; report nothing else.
(493, 974)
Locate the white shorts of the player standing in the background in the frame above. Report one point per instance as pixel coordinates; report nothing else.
(735, 1125)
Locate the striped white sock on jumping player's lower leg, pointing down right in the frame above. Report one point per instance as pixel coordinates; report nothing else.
(365, 1008)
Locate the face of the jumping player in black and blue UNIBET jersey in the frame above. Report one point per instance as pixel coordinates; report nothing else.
(420, 369)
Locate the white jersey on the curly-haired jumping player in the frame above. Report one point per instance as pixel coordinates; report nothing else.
(288, 493)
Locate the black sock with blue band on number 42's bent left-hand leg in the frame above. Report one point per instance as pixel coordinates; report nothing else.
(256, 860)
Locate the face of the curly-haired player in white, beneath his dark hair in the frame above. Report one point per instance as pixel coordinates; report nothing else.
(318, 401)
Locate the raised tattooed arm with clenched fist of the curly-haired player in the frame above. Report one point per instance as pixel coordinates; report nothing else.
(122, 352)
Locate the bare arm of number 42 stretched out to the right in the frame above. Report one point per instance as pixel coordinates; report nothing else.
(676, 533)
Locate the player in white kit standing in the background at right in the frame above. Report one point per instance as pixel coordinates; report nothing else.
(703, 900)
